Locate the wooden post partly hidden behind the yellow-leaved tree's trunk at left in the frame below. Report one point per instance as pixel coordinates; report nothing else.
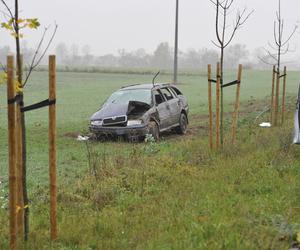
(20, 200)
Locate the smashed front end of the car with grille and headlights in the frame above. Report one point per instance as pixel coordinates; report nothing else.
(131, 122)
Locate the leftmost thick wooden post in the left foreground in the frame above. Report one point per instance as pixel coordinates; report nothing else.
(11, 92)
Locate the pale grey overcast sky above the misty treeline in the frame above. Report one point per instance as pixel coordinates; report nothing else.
(109, 25)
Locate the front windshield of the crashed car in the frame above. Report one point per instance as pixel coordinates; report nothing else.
(124, 96)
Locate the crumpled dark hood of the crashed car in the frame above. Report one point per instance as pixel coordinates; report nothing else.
(116, 109)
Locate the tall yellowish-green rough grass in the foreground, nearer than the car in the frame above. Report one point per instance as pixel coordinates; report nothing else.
(179, 195)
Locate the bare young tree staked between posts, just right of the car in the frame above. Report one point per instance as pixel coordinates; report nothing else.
(224, 37)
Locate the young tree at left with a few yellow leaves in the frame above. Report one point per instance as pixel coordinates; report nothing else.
(11, 15)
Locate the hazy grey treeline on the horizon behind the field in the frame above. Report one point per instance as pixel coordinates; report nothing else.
(82, 60)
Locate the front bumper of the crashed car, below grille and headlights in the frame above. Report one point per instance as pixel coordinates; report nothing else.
(130, 131)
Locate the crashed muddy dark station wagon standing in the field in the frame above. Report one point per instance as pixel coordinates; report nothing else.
(137, 110)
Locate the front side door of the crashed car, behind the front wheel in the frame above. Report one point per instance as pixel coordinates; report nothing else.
(163, 110)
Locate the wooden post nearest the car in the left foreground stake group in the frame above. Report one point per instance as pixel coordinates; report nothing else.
(52, 148)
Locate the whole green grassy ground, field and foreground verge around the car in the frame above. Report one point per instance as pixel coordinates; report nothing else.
(174, 194)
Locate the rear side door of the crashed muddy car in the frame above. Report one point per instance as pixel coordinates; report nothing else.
(174, 105)
